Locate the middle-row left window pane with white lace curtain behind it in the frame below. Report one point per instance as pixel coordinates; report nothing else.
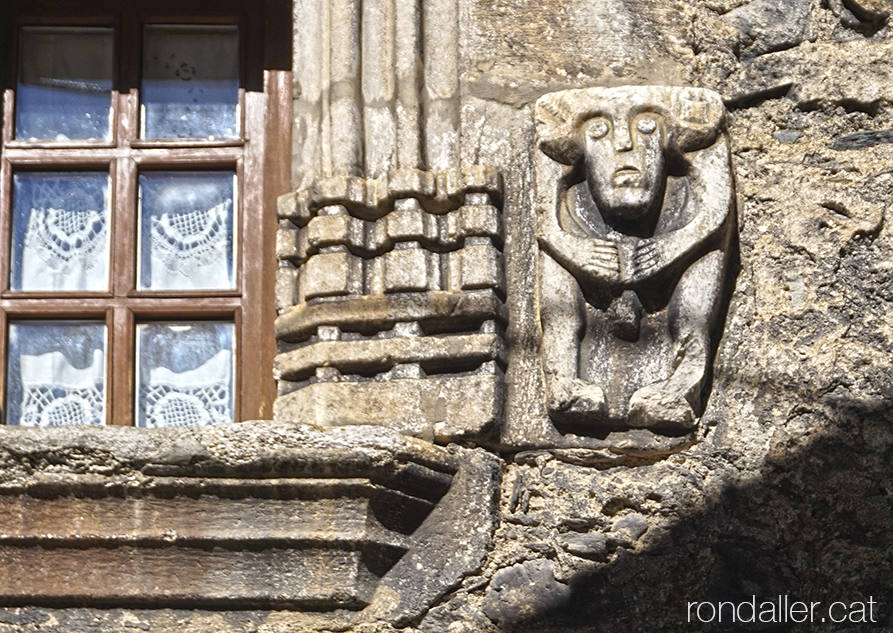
(60, 231)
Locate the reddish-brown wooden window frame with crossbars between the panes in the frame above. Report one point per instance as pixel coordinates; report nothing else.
(259, 157)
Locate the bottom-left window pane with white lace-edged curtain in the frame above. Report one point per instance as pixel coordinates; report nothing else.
(56, 373)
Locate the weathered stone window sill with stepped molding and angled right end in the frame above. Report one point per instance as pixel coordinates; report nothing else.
(332, 527)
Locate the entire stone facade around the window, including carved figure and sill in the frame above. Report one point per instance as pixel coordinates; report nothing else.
(532, 477)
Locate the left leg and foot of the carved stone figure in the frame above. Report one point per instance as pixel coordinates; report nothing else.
(562, 313)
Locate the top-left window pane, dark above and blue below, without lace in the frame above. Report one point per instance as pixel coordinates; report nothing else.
(65, 83)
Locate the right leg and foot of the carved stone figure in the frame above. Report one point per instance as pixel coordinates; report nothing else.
(691, 312)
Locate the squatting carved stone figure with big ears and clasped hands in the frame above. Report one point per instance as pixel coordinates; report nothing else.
(635, 220)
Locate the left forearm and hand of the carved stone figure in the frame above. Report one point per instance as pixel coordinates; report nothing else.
(593, 261)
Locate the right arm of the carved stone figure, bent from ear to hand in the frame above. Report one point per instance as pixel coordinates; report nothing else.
(712, 192)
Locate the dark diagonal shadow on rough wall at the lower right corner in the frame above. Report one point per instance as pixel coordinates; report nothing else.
(814, 527)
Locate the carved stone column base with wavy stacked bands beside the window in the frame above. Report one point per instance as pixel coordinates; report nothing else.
(391, 296)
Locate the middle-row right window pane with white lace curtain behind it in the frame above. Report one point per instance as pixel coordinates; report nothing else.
(186, 231)
